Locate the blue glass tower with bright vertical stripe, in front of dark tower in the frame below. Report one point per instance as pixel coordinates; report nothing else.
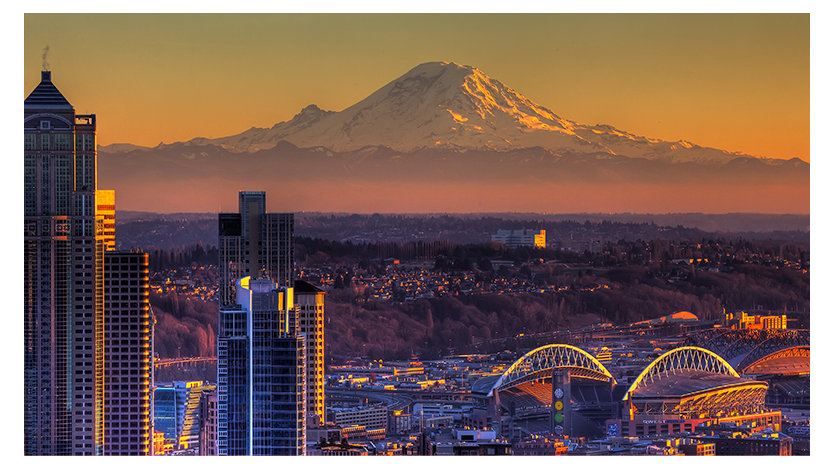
(260, 374)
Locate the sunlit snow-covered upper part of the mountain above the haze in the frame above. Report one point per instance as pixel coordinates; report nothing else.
(446, 105)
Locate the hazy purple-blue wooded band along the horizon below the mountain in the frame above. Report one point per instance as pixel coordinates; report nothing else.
(161, 231)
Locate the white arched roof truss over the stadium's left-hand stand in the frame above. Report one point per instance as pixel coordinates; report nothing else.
(547, 358)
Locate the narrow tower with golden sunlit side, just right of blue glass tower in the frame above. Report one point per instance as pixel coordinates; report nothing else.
(309, 306)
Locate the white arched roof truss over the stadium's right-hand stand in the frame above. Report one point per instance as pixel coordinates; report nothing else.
(684, 358)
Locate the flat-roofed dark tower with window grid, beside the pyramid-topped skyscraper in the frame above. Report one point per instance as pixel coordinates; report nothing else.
(128, 369)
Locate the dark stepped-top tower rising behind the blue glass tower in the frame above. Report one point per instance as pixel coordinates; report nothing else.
(254, 243)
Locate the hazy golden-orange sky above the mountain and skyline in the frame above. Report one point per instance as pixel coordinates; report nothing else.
(739, 82)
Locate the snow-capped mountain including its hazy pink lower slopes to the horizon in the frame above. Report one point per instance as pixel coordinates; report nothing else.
(448, 138)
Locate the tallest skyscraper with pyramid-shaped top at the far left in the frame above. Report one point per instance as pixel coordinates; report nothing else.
(63, 274)
